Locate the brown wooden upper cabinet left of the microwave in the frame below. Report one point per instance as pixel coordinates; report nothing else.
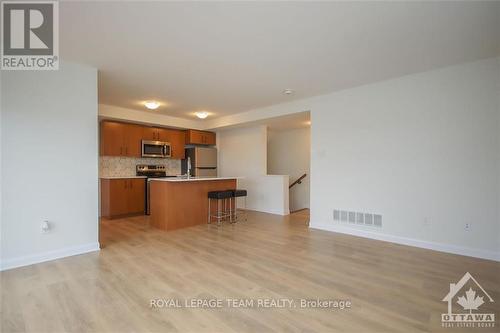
(120, 139)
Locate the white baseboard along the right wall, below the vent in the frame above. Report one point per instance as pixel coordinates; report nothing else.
(447, 248)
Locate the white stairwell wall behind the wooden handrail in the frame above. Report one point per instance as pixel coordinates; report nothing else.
(289, 153)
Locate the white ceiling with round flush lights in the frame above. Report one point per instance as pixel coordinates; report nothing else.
(230, 57)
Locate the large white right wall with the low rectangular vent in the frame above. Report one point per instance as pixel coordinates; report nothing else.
(423, 146)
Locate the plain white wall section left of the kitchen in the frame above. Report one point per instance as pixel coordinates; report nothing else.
(49, 164)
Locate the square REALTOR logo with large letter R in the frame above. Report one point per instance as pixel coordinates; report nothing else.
(30, 35)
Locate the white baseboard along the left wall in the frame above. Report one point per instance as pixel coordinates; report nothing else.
(48, 256)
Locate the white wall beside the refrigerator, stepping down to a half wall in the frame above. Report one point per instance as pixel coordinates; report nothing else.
(243, 153)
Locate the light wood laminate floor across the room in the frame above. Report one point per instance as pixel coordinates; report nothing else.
(392, 288)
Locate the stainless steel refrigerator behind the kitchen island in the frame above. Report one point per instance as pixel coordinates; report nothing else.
(203, 162)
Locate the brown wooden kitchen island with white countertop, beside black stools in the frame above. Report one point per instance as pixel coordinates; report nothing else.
(183, 202)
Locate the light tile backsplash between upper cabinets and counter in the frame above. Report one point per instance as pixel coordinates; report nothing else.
(112, 166)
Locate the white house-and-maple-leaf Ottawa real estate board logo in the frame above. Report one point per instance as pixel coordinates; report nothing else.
(469, 299)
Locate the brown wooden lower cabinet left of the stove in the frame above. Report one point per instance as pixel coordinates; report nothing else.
(122, 196)
